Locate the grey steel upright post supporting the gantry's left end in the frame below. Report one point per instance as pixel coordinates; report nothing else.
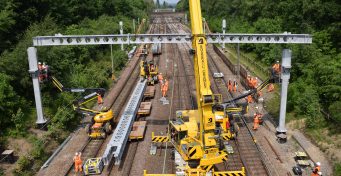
(33, 65)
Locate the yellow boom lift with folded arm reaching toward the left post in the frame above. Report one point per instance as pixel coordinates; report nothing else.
(102, 121)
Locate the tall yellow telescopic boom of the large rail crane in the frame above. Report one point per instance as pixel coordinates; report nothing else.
(205, 97)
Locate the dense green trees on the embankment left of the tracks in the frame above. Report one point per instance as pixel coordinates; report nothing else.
(74, 66)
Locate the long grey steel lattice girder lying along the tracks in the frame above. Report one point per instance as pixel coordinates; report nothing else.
(118, 141)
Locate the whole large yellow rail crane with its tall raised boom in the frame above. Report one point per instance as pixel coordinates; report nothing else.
(197, 134)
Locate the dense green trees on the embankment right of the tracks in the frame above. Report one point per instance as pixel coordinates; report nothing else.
(316, 81)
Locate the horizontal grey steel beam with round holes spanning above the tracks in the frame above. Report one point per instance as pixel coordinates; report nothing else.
(169, 38)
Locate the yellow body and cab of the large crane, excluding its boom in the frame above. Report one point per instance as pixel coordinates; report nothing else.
(184, 133)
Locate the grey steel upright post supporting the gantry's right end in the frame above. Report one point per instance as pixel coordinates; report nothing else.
(285, 76)
